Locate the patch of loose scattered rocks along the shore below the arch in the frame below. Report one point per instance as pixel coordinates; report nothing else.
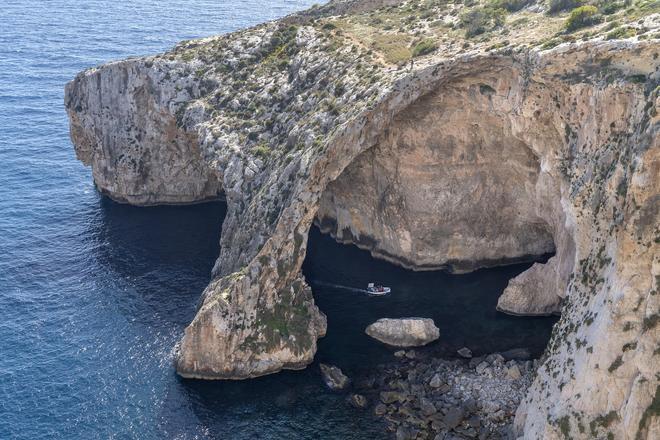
(419, 396)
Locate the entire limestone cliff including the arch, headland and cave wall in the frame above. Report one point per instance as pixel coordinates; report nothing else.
(561, 145)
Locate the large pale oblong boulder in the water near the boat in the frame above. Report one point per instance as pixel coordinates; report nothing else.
(404, 332)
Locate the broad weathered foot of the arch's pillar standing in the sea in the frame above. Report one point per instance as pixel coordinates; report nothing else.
(216, 345)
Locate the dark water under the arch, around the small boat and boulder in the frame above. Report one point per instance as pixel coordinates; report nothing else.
(462, 306)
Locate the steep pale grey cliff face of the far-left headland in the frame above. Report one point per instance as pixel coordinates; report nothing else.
(124, 127)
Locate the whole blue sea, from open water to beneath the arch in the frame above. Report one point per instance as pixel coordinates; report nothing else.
(94, 294)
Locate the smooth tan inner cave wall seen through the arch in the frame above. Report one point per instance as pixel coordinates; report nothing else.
(448, 186)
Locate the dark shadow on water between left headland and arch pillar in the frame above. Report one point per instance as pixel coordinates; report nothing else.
(166, 253)
